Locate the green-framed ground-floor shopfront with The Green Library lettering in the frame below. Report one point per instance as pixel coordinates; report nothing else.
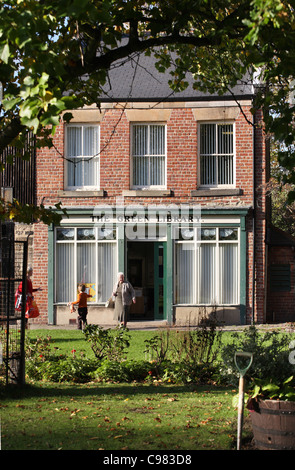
(183, 261)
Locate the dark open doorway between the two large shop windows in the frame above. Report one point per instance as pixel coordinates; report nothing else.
(146, 271)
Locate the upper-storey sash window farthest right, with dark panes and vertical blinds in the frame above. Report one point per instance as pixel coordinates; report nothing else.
(217, 154)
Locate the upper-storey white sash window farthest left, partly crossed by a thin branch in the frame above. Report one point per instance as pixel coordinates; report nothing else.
(82, 156)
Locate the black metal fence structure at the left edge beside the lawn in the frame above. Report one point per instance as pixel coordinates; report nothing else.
(13, 267)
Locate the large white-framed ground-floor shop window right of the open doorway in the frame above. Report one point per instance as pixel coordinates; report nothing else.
(207, 267)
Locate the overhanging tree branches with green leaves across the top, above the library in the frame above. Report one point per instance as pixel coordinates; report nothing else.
(55, 54)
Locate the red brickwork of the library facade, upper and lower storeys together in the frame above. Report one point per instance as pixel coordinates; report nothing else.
(182, 176)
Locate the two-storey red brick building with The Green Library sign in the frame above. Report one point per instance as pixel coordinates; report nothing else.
(166, 187)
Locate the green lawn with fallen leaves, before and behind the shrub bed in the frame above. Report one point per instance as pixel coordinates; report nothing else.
(47, 416)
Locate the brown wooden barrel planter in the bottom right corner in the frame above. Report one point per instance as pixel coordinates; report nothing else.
(273, 423)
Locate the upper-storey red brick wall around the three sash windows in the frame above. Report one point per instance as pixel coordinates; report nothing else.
(115, 162)
